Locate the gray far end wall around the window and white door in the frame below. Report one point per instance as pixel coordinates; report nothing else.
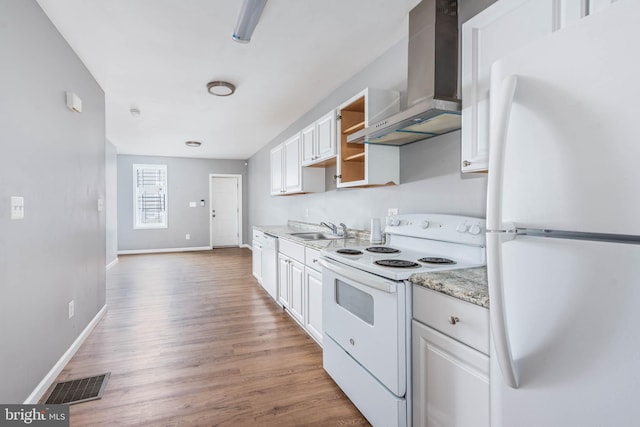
(188, 180)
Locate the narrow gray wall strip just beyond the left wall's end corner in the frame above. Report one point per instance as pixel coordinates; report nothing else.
(111, 201)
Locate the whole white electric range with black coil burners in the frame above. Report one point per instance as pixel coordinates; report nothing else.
(367, 306)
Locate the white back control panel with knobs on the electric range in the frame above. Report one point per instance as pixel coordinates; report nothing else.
(449, 228)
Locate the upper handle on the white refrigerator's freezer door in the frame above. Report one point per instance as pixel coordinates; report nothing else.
(501, 103)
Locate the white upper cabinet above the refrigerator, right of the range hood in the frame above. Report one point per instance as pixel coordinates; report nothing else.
(501, 28)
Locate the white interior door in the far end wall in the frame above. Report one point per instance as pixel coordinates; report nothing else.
(226, 213)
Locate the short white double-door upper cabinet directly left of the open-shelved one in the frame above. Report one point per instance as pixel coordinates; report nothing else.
(319, 141)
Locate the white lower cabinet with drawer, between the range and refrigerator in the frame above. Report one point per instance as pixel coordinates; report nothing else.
(450, 376)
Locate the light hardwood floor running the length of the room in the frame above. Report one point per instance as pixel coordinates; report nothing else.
(191, 339)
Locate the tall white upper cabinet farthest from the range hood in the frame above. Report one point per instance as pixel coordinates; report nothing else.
(287, 174)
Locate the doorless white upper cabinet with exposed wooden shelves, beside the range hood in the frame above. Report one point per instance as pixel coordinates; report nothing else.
(360, 165)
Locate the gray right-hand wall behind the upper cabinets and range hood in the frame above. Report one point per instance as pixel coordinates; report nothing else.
(430, 177)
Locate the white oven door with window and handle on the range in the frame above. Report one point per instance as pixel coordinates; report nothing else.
(365, 315)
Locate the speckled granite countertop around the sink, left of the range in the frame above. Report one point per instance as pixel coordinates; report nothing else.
(356, 237)
